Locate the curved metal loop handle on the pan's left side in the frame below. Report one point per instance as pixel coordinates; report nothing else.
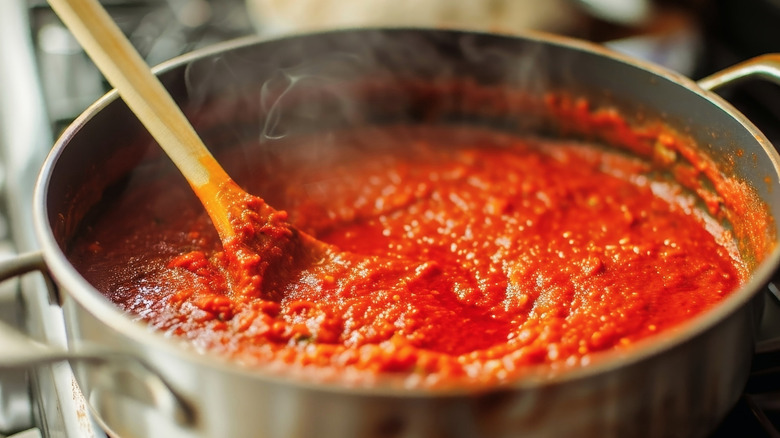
(114, 373)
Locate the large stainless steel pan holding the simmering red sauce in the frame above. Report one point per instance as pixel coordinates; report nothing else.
(140, 383)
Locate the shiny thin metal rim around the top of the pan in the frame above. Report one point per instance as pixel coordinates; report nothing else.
(95, 303)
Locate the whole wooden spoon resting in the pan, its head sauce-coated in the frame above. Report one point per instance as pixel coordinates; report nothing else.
(261, 245)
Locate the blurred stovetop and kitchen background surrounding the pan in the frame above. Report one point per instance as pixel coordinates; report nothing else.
(46, 81)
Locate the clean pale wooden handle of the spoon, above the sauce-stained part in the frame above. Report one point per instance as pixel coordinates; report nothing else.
(124, 68)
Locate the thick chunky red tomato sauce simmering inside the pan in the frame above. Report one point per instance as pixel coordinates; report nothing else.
(456, 253)
